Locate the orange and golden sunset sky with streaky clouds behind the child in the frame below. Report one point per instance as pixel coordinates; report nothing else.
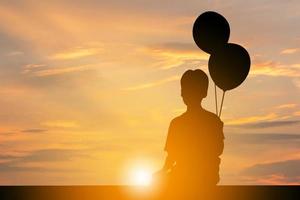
(88, 88)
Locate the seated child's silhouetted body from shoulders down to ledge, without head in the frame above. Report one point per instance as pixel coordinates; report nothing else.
(195, 141)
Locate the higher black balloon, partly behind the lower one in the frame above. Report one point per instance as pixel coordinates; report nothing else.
(211, 31)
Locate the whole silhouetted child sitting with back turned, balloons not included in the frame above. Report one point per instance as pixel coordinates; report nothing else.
(195, 140)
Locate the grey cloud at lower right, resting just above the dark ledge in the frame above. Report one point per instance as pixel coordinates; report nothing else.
(282, 172)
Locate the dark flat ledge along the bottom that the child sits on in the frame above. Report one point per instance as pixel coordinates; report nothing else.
(131, 192)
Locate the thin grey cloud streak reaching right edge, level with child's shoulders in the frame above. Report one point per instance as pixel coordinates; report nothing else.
(269, 124)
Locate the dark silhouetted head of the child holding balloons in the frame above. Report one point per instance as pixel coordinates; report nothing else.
(194, 85)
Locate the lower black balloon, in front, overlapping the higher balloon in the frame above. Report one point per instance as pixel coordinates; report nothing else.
(229, 66)
